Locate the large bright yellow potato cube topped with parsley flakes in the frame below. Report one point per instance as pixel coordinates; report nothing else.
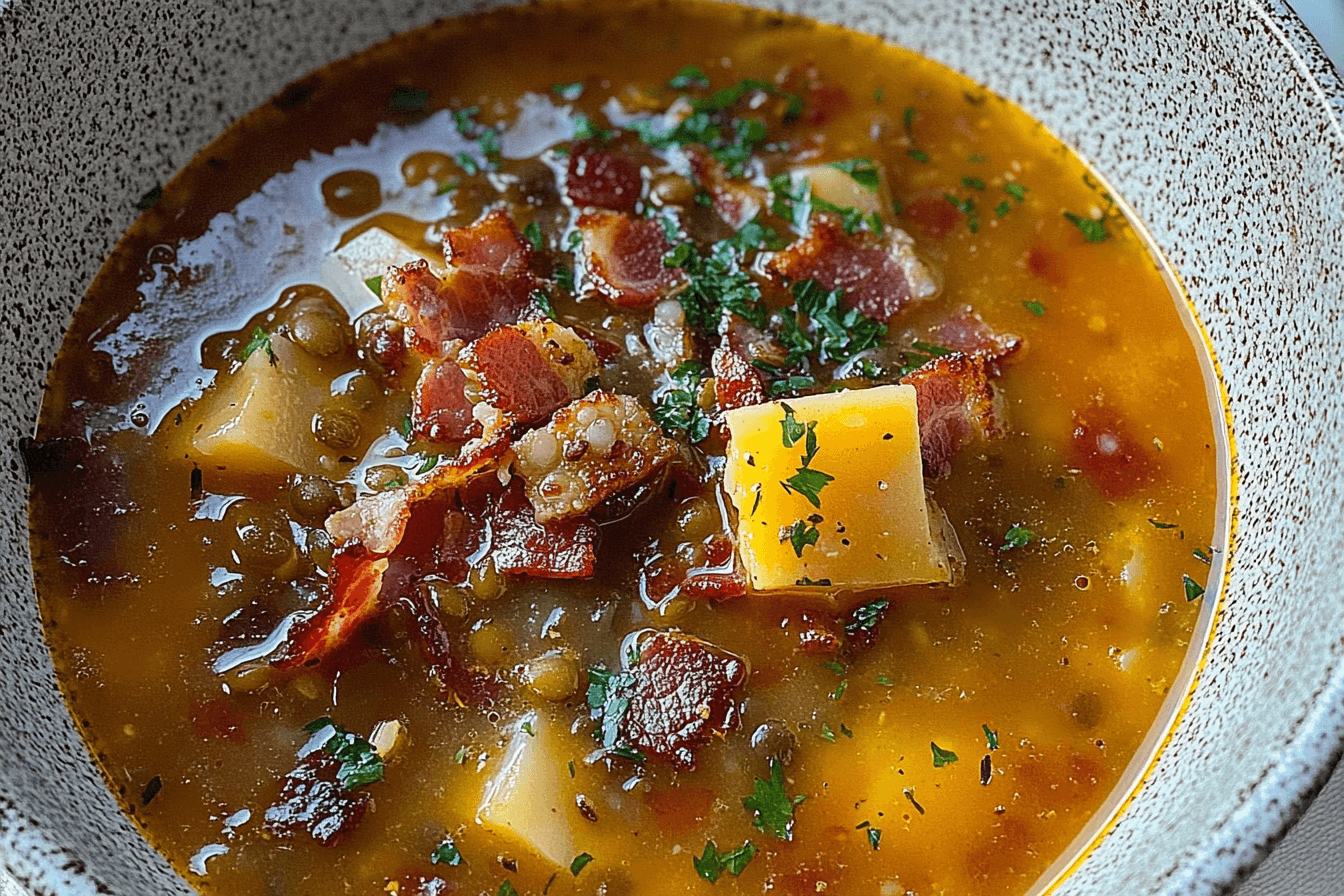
(830, 492)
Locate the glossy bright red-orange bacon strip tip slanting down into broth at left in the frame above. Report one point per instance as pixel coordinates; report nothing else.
(355, 582)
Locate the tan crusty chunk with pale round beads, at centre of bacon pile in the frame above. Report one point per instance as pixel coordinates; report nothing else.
(592, 449)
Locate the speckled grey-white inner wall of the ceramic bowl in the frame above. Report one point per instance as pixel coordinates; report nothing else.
(1220, 122)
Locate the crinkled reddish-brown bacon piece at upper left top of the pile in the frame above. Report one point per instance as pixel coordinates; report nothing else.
(489, 283)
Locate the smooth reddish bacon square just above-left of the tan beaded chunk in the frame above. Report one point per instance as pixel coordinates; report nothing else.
(514, 377)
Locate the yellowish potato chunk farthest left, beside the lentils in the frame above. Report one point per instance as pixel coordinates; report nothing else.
(260, 420)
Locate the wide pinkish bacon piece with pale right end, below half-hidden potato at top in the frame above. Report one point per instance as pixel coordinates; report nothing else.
(880, 276)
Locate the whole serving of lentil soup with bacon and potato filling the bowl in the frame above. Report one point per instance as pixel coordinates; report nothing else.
(626, 449)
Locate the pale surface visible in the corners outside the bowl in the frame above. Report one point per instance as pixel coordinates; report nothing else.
(1318, 843)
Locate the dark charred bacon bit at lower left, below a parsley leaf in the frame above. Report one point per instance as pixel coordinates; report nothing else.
(314, 801)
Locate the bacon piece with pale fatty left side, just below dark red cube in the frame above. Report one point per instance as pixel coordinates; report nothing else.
(624, 257)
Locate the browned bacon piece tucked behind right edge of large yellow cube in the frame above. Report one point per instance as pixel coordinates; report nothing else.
(956, 405)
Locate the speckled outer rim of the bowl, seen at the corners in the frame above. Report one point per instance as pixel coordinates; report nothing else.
(1269, 808)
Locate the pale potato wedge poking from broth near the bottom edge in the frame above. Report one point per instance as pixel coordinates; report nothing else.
(530, 797)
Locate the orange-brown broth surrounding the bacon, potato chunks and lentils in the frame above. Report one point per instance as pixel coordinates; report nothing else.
(1068, 648)
